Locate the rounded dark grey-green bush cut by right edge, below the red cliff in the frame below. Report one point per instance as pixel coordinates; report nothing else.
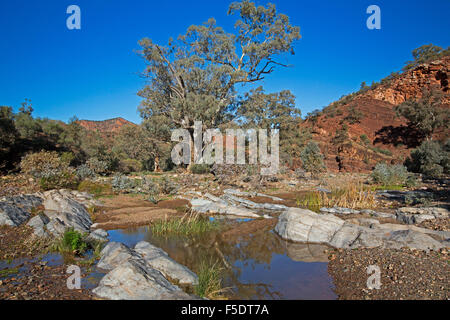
(430, 158)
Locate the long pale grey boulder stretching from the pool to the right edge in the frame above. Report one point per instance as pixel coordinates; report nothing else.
(305, 226)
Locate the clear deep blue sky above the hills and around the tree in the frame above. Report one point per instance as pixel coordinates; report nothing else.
(93, 73)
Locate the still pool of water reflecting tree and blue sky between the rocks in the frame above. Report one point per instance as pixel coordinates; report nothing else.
(260, 265)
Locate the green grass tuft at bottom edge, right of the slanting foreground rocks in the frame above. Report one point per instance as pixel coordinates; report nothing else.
(209, 280)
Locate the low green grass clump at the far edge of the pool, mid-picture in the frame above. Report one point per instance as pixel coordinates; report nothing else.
(189, 224)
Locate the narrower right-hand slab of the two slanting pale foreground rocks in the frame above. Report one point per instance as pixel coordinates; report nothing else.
(159, 260)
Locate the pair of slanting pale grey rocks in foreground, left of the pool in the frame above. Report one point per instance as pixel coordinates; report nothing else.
(141, 274)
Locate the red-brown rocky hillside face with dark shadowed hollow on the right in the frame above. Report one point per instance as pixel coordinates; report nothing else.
(387, 137)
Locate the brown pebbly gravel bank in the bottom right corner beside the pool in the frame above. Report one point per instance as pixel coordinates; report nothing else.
(405, 274)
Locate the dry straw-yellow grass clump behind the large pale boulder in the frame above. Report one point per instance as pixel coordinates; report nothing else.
(352, 196)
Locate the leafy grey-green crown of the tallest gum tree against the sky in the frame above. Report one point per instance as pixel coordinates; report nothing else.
(195, 78)
